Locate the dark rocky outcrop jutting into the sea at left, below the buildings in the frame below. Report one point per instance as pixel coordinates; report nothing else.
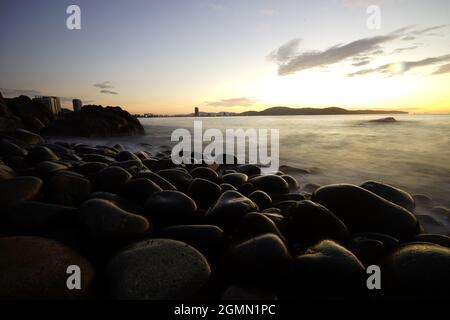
(96, 121)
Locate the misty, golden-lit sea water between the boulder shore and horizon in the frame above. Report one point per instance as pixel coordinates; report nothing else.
(412, 153)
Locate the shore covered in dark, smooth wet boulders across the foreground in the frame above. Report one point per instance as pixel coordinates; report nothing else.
(141, 227)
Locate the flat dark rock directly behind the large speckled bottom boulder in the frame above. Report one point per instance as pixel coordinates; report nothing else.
(208, 239)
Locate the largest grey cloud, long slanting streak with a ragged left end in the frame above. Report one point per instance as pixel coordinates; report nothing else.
(290, 60)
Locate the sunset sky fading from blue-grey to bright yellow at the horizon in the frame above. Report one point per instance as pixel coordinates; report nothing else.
(229, 55)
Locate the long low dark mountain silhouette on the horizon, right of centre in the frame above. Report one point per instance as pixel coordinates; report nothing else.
(286, 111)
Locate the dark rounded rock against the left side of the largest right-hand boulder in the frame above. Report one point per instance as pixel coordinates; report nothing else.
(309, 222)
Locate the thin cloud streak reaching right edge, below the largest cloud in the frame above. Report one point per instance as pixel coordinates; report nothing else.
(401, 67)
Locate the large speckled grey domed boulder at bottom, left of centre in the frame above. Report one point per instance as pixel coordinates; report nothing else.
(158, 269)
